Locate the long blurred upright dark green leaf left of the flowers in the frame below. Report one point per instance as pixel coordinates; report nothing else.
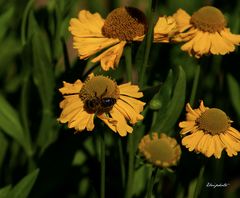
(43, 75)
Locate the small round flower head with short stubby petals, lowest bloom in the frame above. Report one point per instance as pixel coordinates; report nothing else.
(162, 151)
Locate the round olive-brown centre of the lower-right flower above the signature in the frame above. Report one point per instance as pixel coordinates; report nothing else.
(213, 121)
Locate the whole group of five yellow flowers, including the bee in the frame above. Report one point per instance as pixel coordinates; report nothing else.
(119, 107)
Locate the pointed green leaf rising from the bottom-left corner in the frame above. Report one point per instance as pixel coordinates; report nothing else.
(23, 187)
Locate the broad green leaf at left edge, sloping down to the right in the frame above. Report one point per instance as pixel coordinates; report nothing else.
(10, 124)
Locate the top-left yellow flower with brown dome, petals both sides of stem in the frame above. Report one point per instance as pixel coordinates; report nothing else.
(92, 34)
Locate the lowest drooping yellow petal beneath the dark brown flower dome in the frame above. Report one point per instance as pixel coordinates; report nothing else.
(111, 57)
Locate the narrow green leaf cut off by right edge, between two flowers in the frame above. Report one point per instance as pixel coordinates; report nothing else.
(234, 92)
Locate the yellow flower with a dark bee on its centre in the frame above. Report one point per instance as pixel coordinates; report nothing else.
(100, 96)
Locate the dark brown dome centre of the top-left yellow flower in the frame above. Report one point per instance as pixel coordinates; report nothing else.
(125, 23)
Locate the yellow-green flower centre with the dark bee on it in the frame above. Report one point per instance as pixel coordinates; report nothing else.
(99, 94)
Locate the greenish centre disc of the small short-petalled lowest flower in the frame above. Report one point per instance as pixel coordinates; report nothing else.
(160, 150)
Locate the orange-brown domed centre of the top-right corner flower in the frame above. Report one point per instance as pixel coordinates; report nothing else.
(208, 19)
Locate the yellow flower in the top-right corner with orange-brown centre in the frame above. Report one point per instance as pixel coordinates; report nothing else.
(205, 32)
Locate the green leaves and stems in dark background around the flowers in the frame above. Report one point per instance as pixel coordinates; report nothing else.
(37, 55)
